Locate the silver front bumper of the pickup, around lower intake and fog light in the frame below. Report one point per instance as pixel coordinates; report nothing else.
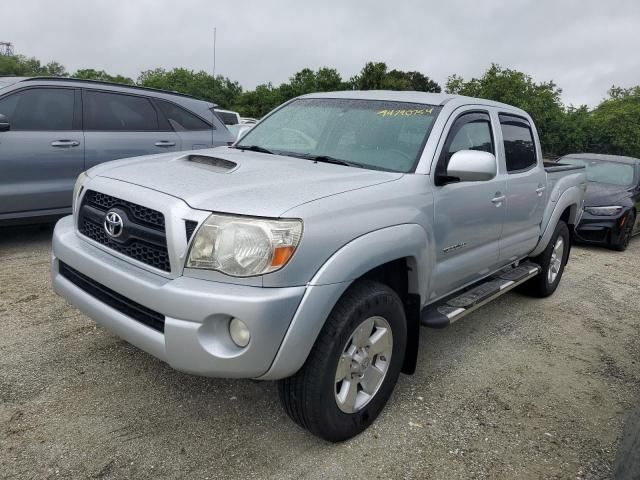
(196, 312)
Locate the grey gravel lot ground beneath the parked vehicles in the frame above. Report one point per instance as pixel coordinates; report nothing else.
(522, 388)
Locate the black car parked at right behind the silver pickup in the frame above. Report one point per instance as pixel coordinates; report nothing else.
(612, 201)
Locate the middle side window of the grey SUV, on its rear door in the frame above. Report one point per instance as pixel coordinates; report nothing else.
(106, 111)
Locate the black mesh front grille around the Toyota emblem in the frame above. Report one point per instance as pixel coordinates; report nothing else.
(143, 237)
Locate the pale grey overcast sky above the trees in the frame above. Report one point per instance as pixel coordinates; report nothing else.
(585, 46)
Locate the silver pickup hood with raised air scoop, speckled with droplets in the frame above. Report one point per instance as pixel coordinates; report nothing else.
(241, 182)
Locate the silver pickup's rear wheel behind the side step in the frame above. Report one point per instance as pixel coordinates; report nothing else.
(552, 261)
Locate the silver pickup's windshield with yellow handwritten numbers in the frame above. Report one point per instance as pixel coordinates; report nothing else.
(365, 133)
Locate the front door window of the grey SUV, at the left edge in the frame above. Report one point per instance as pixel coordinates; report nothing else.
(39, 109)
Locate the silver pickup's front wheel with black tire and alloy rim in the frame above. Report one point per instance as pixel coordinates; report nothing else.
(353, 366)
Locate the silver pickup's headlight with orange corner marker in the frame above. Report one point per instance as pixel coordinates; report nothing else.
(244, 247)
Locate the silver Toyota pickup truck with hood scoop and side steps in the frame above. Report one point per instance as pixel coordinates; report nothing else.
(312, 250)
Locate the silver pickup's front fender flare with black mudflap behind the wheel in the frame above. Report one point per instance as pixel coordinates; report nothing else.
(398, 256)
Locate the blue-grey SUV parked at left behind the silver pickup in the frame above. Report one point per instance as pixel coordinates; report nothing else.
(51, 129)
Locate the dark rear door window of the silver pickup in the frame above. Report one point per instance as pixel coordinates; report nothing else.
(519, 146)
